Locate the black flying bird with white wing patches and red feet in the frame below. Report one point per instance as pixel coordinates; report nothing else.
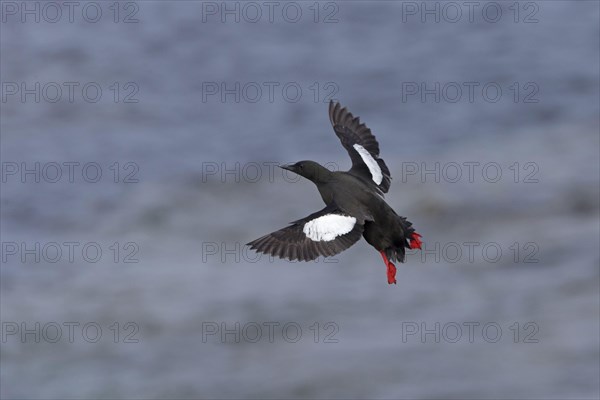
(354, 205)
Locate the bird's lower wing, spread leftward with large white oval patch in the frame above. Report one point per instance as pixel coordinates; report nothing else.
(324, 233)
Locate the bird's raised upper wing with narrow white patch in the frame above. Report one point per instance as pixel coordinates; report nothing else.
(362, 146)
